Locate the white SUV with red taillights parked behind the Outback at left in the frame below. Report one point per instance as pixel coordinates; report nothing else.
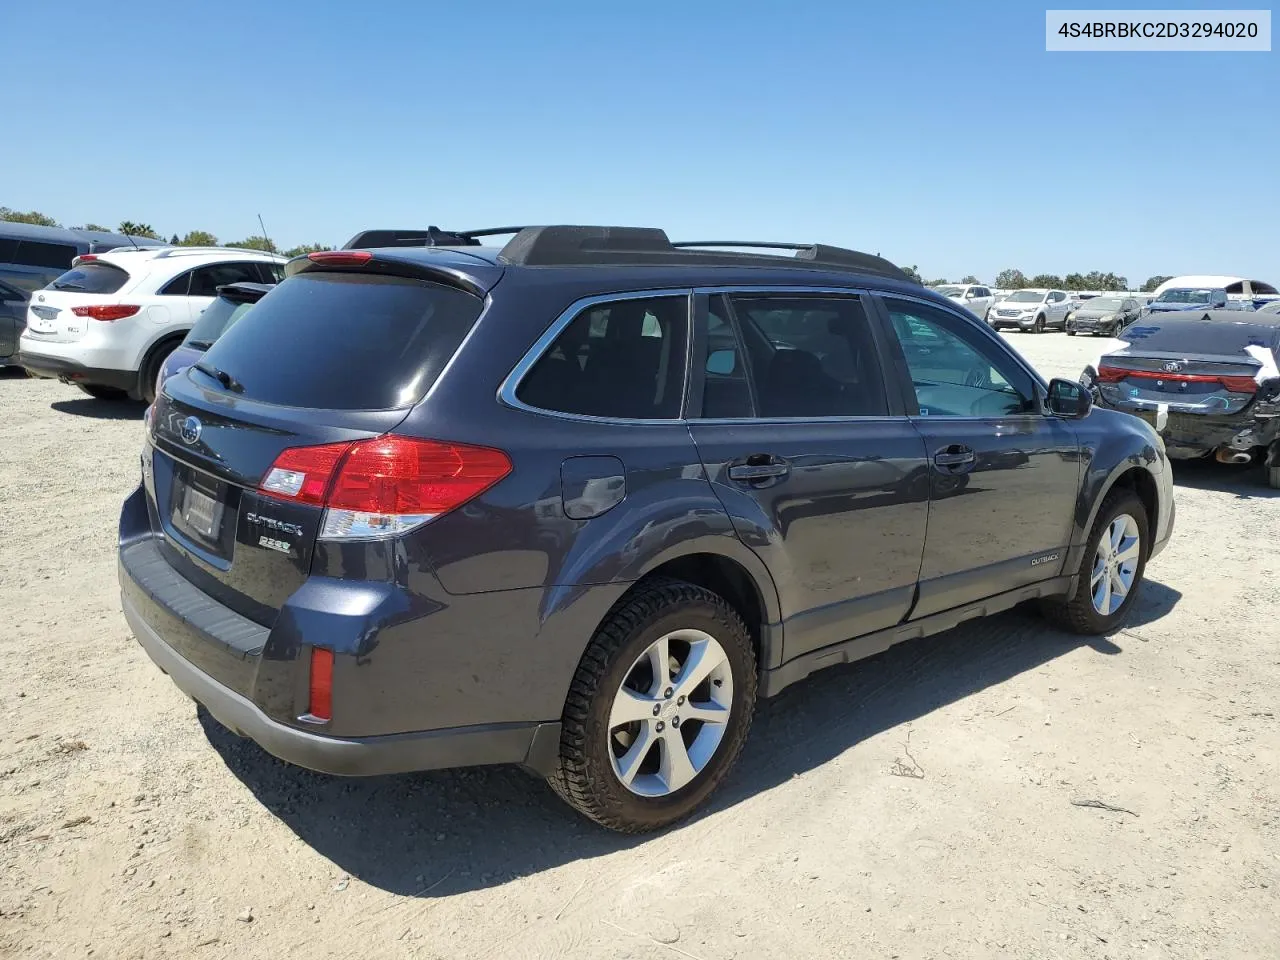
(108, 324)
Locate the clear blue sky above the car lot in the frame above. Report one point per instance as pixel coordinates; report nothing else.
(940, 135)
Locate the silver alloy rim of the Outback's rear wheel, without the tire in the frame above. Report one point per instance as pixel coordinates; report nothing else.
(670, 714)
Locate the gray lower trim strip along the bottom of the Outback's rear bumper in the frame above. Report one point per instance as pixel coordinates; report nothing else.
(524, 744)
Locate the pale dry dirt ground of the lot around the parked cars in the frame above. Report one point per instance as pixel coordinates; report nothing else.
(998, 792)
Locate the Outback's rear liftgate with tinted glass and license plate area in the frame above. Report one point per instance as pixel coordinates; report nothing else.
(331, 356)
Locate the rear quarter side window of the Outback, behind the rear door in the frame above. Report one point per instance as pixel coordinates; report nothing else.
(623, 360)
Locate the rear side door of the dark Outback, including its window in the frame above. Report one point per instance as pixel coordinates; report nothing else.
(817, 465)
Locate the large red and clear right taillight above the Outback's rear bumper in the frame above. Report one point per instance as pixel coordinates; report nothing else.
(383, 487)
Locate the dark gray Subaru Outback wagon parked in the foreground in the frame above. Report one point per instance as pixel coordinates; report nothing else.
(577, 502)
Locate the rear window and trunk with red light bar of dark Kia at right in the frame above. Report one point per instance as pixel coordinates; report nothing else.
(1201, 367)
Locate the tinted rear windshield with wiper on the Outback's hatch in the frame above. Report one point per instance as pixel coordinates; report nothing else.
(346, 341)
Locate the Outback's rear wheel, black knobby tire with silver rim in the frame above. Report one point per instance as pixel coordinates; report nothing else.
(659, 710)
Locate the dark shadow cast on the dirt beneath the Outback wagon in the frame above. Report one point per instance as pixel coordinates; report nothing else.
(442, 834)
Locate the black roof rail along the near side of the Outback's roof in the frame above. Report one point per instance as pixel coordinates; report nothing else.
(547, 246)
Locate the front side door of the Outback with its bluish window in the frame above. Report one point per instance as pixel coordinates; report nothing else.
(1005, 476)
